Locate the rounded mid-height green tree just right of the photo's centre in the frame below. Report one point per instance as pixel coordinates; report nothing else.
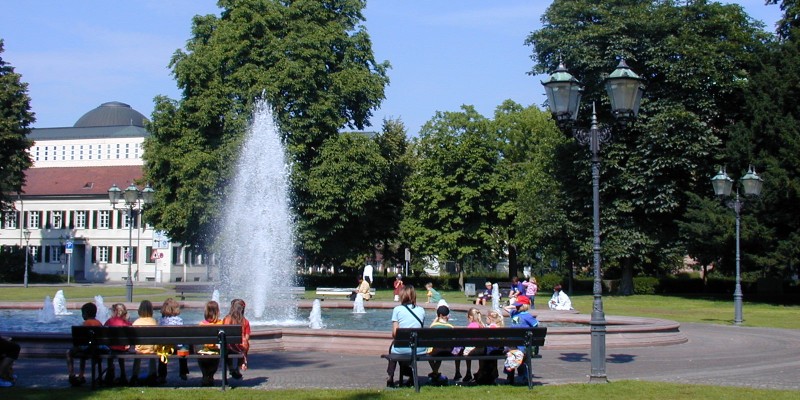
(452, 189)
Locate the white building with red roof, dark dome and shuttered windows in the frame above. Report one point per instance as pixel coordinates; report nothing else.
(65, 199)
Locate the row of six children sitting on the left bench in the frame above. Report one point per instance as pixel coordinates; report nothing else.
(170, 315)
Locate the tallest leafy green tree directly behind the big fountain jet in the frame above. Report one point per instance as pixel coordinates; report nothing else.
(310, 59)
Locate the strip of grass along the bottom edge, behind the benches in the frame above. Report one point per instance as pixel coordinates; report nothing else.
(614, 390)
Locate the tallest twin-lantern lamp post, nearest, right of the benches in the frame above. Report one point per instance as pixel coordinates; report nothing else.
(625, 90)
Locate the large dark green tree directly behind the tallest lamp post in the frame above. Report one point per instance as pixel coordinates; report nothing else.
(695, 57)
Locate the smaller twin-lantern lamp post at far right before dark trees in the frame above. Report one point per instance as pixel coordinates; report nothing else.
(751, 184)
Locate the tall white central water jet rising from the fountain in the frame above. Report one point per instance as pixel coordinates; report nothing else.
(257, 239)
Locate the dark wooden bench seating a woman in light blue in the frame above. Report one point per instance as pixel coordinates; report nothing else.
(417, 338)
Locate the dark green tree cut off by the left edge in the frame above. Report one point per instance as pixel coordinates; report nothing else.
(15, 121)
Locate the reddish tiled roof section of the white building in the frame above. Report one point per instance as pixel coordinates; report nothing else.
(78, 180)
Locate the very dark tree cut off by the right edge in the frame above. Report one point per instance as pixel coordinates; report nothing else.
(768, 138)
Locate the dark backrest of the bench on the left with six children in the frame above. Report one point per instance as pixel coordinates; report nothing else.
(133, 335)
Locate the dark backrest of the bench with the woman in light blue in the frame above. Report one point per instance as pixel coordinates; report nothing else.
(442, 337)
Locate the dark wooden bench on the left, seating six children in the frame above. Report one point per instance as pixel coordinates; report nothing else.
(93, 337)
